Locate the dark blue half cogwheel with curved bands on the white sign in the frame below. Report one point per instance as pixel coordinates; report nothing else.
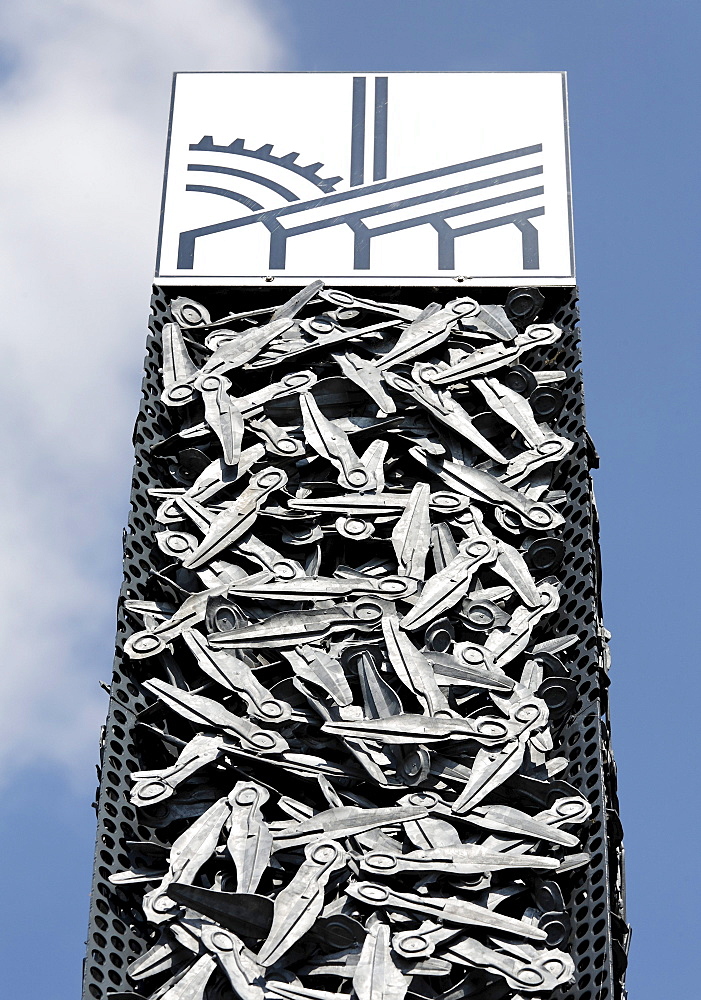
(276, 180)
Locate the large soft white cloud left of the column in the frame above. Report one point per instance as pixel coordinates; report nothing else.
(83, 116)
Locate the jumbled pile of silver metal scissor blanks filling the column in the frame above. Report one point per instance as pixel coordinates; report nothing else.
(350, 657)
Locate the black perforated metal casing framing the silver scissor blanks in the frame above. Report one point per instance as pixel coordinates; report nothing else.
(117, 933)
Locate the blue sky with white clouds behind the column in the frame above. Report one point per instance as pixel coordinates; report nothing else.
(84, 97)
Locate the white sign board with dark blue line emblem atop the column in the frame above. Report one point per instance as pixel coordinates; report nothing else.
(363, 178)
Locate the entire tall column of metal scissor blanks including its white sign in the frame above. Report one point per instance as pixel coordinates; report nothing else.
(358, 738)
